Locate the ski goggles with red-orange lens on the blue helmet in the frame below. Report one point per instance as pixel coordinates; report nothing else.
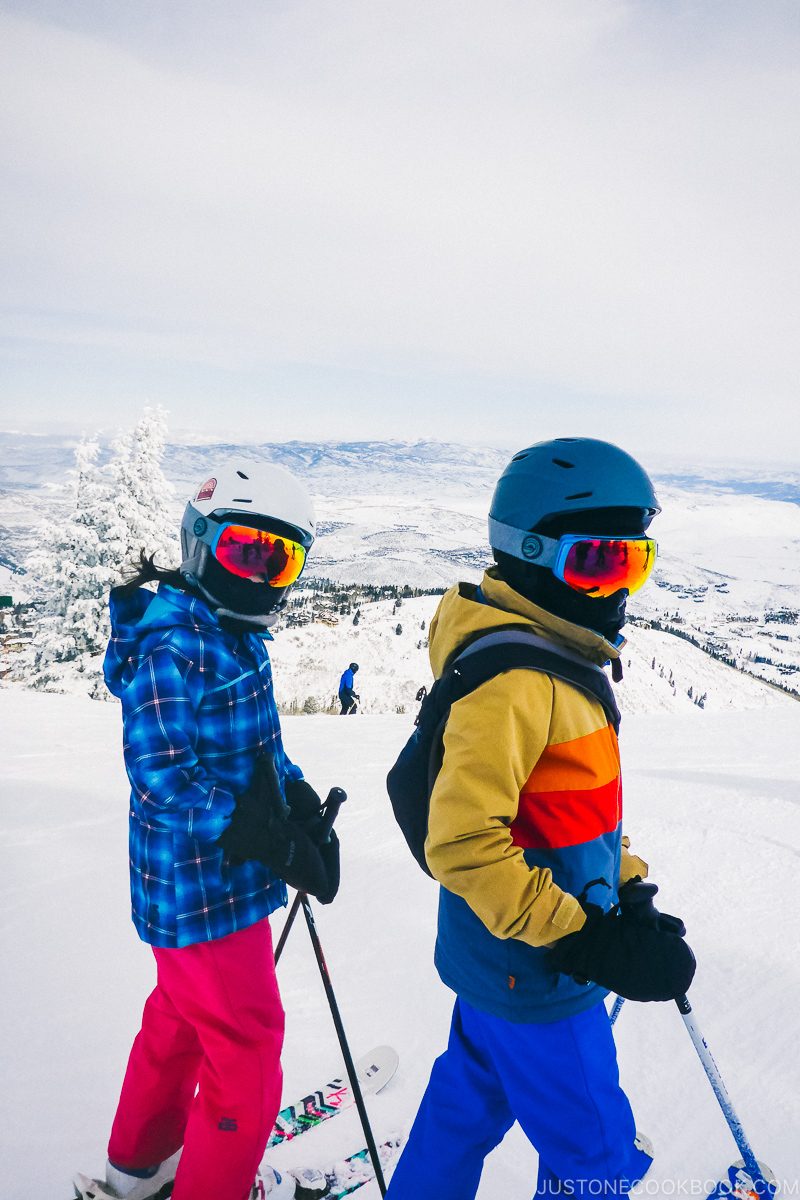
(596, 566)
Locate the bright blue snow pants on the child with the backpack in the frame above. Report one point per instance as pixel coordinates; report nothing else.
(561, 1082)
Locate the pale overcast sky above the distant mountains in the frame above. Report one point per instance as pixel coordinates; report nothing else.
(488, 221)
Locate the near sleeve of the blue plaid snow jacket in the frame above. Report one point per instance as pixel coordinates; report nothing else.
(160, 731)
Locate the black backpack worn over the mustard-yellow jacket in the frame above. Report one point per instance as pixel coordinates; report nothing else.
(411, 781)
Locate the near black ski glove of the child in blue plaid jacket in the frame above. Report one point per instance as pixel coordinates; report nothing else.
(263, 829)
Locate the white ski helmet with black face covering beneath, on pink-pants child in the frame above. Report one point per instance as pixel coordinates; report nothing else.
(258, 496)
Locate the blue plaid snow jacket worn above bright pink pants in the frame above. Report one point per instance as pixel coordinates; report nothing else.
(197, 711)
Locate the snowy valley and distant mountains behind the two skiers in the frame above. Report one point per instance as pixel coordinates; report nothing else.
(727, 578)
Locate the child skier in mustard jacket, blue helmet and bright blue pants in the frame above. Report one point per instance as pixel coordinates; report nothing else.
(526, 839)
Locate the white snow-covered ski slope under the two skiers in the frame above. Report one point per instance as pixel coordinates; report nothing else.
(712, 802)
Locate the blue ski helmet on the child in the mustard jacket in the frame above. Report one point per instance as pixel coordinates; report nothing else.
(564, 476)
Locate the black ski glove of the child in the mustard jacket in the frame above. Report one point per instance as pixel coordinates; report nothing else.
(631, 950)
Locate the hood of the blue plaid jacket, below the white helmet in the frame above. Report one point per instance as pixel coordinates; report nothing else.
(141, 619)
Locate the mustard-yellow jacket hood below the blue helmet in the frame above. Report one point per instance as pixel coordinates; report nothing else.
(466, 613)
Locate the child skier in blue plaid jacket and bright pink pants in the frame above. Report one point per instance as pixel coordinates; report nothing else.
(220, 821)
